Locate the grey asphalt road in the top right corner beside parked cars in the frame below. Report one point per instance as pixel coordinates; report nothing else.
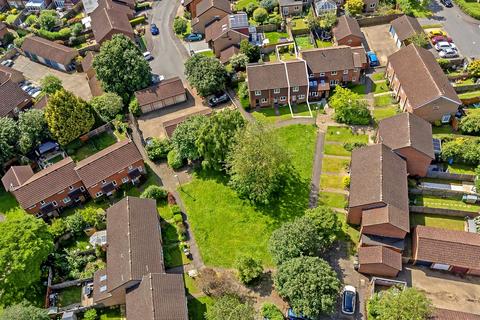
(464, 30)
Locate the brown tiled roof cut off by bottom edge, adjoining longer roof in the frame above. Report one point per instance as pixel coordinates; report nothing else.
(158, 297)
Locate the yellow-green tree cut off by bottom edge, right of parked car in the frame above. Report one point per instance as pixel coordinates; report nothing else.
(398, 304)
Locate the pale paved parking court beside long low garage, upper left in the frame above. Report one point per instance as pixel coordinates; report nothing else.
(74, 82)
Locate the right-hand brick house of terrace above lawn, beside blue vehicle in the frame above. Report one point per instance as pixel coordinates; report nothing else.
(328, 67)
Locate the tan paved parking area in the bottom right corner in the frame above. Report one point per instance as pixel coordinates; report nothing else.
(444, 289)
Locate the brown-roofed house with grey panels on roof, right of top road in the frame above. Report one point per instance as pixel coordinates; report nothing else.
(226, 33)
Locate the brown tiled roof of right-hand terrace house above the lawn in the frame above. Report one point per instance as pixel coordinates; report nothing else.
(329, 59)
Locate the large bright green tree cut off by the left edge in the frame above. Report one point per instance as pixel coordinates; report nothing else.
(24, 246)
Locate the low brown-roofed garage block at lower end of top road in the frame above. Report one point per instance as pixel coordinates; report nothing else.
(166, 93)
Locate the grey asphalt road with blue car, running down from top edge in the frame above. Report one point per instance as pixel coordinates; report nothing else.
(168, 52)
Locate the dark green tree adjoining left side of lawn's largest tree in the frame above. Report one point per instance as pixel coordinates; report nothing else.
(216, 137)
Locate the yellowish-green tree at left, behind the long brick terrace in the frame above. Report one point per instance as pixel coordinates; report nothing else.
(67, 116)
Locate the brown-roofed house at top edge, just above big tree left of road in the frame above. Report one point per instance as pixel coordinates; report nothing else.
(111, 18)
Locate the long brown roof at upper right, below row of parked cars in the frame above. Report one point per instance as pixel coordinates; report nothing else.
(420, 76)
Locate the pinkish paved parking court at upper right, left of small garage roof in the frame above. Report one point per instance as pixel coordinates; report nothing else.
(379, 40)
